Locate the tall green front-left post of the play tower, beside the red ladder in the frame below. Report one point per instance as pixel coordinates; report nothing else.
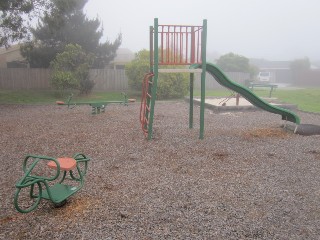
(155, 77)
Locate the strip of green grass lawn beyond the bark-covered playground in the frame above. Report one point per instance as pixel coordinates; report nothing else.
(307, 99)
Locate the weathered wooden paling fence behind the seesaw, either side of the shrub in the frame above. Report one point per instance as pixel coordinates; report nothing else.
(35, 78)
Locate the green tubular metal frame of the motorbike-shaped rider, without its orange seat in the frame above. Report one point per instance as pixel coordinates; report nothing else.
(58, 192)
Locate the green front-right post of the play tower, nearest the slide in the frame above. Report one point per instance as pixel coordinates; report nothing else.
(203, 76)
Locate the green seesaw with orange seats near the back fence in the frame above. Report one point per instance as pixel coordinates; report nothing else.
(98, 106)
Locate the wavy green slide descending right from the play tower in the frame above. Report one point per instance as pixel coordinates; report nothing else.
(223, 80)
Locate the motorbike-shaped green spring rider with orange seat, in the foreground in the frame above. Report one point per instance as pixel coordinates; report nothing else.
(55, 189)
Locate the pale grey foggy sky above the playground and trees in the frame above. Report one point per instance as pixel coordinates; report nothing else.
(269, 29)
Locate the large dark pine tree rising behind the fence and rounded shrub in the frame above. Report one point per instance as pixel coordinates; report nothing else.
(67, 24)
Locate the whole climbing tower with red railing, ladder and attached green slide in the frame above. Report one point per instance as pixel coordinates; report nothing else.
(176, 45)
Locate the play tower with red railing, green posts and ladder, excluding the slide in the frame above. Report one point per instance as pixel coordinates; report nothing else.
(173, 45)
